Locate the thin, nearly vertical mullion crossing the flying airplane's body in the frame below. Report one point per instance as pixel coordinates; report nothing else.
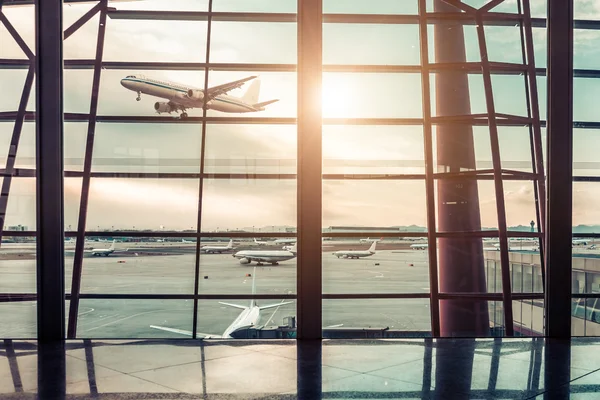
(201, 179)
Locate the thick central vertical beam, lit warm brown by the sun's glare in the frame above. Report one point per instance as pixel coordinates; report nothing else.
(309, 203)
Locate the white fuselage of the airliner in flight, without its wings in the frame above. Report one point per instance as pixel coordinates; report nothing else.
(179, 94)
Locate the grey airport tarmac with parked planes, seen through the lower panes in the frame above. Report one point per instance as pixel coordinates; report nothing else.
(399, 271)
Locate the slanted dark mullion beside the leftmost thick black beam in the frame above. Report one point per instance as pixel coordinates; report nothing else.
(85, 186)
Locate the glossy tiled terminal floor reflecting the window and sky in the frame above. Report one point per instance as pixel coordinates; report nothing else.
(408, 369)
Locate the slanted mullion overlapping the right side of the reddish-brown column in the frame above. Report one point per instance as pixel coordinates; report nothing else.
(498, 183)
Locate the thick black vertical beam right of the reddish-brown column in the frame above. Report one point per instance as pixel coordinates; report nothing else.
(560, 172)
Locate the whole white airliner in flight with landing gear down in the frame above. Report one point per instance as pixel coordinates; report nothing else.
(181, 97)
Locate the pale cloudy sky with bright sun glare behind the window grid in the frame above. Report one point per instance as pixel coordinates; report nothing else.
(231, 204)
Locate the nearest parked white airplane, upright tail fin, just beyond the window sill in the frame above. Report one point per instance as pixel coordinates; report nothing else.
(248, 318)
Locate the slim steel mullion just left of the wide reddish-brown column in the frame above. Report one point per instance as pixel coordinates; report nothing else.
(429, 179)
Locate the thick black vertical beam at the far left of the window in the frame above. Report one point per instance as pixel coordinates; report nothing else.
(49, 165)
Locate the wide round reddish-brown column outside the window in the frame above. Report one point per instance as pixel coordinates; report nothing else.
(461, 264)
